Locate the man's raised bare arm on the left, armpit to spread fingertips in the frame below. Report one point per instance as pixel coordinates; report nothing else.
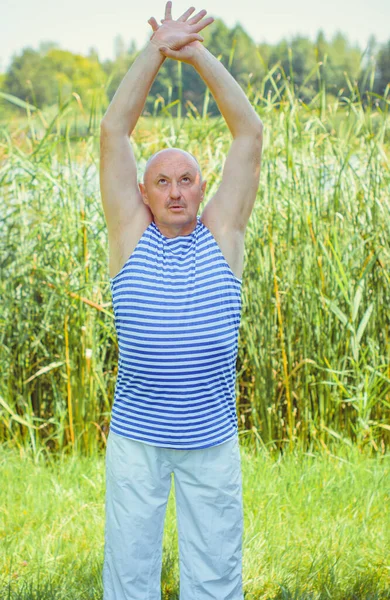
(120, 193)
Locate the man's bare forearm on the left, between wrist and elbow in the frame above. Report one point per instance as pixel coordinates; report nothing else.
(129, 100)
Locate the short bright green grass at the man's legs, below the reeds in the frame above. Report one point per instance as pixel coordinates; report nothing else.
(316, 526)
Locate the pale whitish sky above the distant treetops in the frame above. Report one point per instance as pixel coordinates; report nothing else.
(78, 25)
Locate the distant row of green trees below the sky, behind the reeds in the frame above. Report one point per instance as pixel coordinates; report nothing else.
(50, 75)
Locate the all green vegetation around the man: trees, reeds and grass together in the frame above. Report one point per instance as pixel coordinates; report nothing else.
(313, 369)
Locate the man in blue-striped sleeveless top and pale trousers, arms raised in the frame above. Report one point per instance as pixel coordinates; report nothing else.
(176, 281)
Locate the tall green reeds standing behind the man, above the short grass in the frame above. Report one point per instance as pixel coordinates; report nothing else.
(313, 366)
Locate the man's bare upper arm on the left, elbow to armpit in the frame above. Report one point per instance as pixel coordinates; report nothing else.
(119, 189)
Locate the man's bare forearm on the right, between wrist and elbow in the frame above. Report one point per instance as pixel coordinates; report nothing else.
(235, 107)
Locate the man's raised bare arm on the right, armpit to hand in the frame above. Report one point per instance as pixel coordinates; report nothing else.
(232, 204)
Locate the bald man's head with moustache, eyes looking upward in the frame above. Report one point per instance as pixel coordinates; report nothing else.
(173, 190)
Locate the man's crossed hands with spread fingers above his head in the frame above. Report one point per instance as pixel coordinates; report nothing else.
(179, 39)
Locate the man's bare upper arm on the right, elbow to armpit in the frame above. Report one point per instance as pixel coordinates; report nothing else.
(232, 204)
